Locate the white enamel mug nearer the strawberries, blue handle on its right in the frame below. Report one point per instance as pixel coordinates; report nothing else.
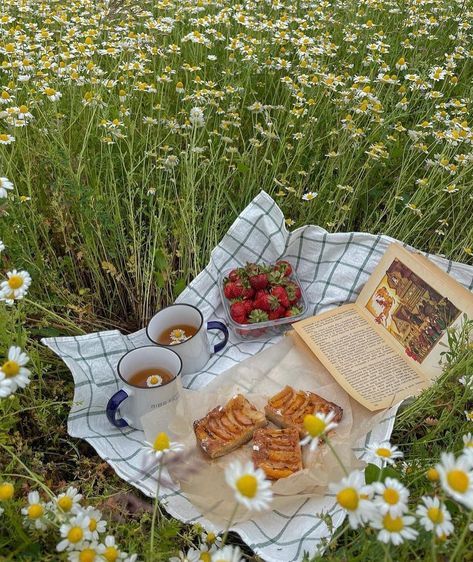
(194, 352)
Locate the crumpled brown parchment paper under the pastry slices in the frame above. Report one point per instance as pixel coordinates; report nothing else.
(289, 362)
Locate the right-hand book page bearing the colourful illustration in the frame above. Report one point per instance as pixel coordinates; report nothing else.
(414, 302)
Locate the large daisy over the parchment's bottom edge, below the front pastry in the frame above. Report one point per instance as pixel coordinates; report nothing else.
(250, 485)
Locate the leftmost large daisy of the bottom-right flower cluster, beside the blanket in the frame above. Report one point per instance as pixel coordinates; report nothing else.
(353, 495)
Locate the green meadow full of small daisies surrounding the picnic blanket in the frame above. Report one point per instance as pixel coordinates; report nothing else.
(135, 132)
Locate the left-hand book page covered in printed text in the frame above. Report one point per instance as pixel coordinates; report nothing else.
(359, 358)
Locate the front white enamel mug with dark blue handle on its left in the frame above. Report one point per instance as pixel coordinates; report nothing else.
(131, 402)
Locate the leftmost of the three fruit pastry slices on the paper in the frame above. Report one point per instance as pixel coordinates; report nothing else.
(225, 428)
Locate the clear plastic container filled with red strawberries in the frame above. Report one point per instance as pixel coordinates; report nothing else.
(262, 299)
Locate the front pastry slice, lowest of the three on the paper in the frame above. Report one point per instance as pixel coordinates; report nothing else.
(277, 452)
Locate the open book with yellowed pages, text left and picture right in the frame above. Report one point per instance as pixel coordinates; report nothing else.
(386, 346)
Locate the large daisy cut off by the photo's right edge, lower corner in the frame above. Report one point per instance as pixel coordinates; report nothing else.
(456, 478)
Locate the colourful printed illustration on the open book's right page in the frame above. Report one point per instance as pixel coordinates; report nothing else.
(411, 310)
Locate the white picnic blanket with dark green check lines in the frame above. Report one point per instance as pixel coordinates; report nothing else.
(332, 269)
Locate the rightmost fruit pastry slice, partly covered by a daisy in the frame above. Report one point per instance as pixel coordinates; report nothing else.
(289, 407)
